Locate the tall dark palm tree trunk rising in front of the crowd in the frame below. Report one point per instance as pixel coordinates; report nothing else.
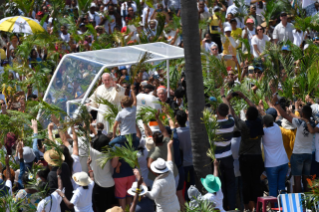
(195, 89)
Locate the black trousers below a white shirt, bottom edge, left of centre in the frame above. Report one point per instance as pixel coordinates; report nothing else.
(103, 198)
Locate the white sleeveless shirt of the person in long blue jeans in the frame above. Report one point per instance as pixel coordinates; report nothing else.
(275, 153)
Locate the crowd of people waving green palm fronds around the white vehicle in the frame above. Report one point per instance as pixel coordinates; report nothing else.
(262, 147)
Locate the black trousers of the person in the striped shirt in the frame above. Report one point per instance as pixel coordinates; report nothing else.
(227, 176)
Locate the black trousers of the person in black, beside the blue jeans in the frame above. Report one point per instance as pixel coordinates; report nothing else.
(251, 167)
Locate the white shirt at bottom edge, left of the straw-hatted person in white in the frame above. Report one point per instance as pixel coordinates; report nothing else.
(45, 204)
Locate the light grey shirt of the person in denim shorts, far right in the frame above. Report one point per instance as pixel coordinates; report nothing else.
(303, 140)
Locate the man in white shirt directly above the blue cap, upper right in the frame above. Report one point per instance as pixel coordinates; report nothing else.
(283, 31)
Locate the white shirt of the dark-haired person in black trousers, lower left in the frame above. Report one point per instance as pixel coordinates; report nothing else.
(102, 177)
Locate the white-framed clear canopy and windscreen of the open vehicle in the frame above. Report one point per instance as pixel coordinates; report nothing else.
(77, 74)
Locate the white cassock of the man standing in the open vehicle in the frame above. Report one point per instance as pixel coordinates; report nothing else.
(113, 94)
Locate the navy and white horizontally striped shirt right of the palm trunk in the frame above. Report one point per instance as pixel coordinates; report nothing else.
(225, 131)
